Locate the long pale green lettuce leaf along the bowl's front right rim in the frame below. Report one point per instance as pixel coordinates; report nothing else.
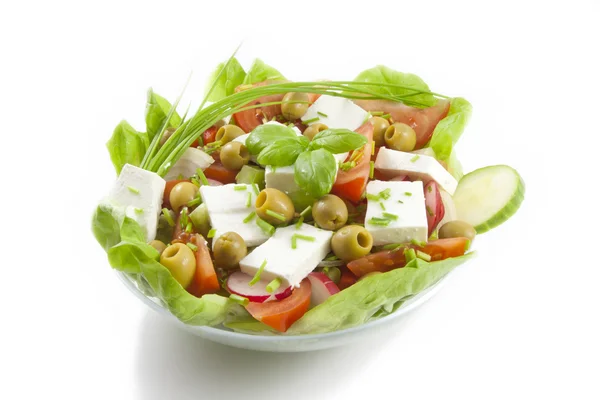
(364, 300)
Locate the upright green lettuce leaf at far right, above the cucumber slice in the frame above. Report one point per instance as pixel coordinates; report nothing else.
(448, 130)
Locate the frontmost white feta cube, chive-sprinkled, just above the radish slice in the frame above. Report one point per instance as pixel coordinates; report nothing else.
(284, 262)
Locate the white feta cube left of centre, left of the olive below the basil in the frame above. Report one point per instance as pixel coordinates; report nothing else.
(228, 207)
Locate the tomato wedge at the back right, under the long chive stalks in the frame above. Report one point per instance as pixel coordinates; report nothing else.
(422, 120)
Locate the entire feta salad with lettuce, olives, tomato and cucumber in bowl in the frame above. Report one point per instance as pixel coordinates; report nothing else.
(294, 208)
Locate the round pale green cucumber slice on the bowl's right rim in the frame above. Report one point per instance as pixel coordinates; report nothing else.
(487, 197)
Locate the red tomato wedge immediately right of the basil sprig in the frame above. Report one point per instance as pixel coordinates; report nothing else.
(351, 184)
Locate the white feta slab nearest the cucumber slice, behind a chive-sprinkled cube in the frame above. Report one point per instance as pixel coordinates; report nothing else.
(419, 166)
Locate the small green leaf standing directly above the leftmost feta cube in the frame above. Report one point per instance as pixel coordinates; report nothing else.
(127, 146)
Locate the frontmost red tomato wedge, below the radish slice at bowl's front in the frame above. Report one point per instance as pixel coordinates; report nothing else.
(280, 315)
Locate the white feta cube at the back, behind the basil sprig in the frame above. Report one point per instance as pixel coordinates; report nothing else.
(336, 113)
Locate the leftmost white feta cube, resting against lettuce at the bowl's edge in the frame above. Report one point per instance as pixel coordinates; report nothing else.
(138, 194)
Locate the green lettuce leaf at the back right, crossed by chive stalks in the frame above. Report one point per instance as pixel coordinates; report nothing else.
(385, 75)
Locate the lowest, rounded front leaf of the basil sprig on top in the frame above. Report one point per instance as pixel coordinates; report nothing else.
(315, 172)
